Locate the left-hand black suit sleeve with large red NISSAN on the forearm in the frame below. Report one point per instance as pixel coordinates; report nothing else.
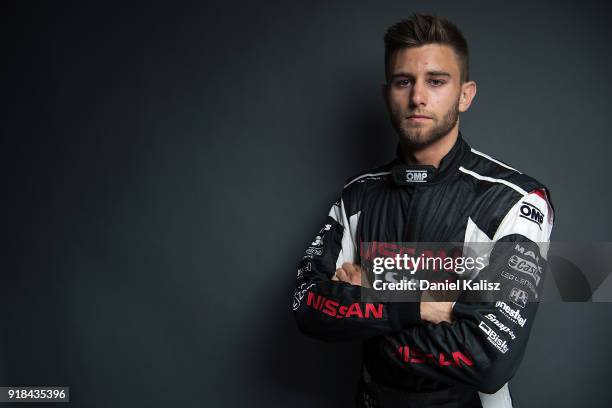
(332, 310)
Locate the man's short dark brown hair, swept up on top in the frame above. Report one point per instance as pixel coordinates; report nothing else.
(423, 29)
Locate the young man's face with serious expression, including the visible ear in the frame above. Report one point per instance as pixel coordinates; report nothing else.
(424, 93)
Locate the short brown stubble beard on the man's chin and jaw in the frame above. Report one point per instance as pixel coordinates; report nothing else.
(417, 136)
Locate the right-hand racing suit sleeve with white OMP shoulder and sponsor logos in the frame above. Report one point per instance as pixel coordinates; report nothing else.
(483, 347)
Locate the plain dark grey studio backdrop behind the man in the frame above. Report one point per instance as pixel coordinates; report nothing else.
(165, 166)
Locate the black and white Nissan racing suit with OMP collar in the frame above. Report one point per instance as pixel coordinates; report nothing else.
(470, 197)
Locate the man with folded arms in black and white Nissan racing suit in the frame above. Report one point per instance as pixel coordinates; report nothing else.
(429, 354)
